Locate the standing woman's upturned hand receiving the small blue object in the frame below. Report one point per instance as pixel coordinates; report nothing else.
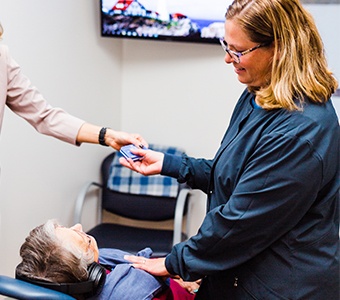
(150, 164)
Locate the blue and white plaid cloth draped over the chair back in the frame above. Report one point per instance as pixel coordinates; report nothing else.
(124, 180)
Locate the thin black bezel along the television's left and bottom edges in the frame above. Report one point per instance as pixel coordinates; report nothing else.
(158, 38)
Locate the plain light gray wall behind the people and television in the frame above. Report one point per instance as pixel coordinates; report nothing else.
(172, 93)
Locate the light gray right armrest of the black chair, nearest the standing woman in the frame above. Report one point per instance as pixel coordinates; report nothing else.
(182, 197)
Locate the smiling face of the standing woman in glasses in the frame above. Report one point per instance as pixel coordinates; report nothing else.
(254, 68)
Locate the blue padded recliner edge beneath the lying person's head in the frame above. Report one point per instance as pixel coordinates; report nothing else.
(18, 289)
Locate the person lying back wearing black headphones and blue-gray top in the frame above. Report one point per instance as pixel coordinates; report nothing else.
(68, 260)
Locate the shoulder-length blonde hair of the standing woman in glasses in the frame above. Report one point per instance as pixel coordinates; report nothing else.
(299, 66)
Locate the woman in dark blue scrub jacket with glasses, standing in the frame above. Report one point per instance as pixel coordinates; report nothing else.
(272, 225)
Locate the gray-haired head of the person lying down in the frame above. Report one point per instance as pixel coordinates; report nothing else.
(48, 256)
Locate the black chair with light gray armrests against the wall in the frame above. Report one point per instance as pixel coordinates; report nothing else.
(138, 207)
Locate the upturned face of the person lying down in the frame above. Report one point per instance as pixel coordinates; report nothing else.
(78, 238)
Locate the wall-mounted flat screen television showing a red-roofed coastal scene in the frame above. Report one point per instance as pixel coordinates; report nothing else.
(199, 21)
